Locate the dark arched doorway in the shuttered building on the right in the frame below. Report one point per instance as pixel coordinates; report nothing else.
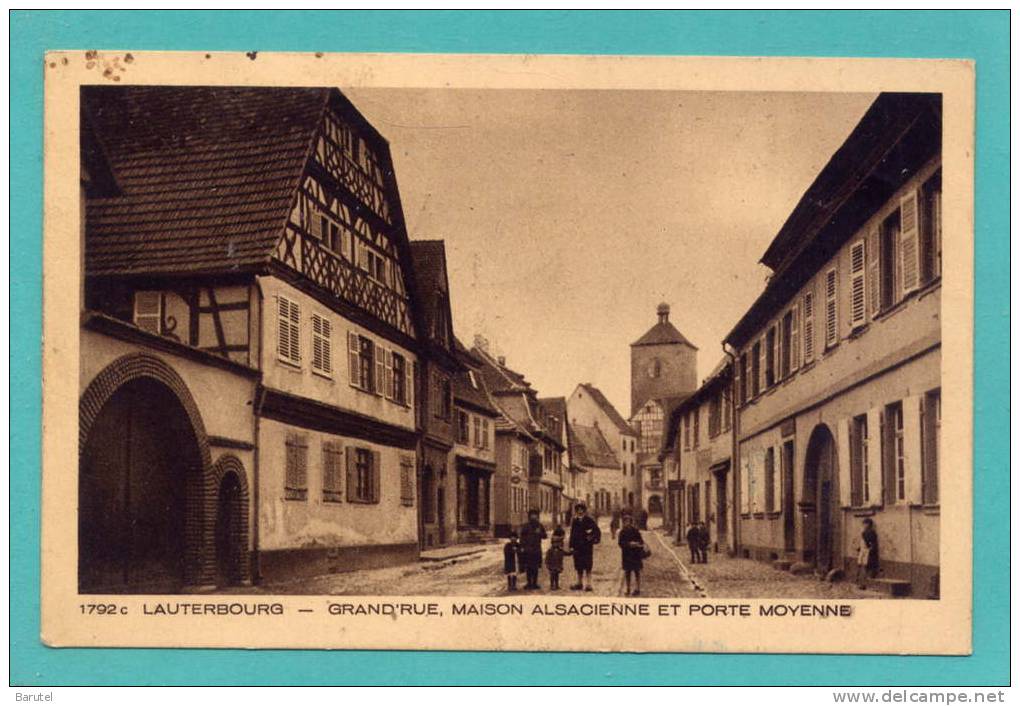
(819, 499)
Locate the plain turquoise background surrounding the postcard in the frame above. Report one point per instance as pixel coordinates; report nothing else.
(983, 36)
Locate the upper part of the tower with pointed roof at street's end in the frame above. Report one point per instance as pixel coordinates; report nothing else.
(664, 364)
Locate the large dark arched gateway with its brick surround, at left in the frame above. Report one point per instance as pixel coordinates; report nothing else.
(147, 496)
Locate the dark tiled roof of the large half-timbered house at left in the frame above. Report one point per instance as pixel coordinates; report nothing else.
(208, 176)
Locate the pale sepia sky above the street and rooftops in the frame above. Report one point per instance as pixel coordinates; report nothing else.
(570, 216)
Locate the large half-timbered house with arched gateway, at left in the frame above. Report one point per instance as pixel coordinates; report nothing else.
(248, 318)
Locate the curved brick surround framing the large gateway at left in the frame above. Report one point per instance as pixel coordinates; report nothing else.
(201, 487)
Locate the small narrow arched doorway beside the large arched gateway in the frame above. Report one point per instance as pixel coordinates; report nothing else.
(232, 524)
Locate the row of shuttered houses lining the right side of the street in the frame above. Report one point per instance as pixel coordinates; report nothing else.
(827, 408)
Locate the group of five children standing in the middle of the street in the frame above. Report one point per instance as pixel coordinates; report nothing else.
(524, 552)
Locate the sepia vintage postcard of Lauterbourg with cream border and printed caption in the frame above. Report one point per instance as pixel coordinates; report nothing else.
(546, 354)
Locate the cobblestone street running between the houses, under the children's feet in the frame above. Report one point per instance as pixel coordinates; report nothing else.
(668, 574)
